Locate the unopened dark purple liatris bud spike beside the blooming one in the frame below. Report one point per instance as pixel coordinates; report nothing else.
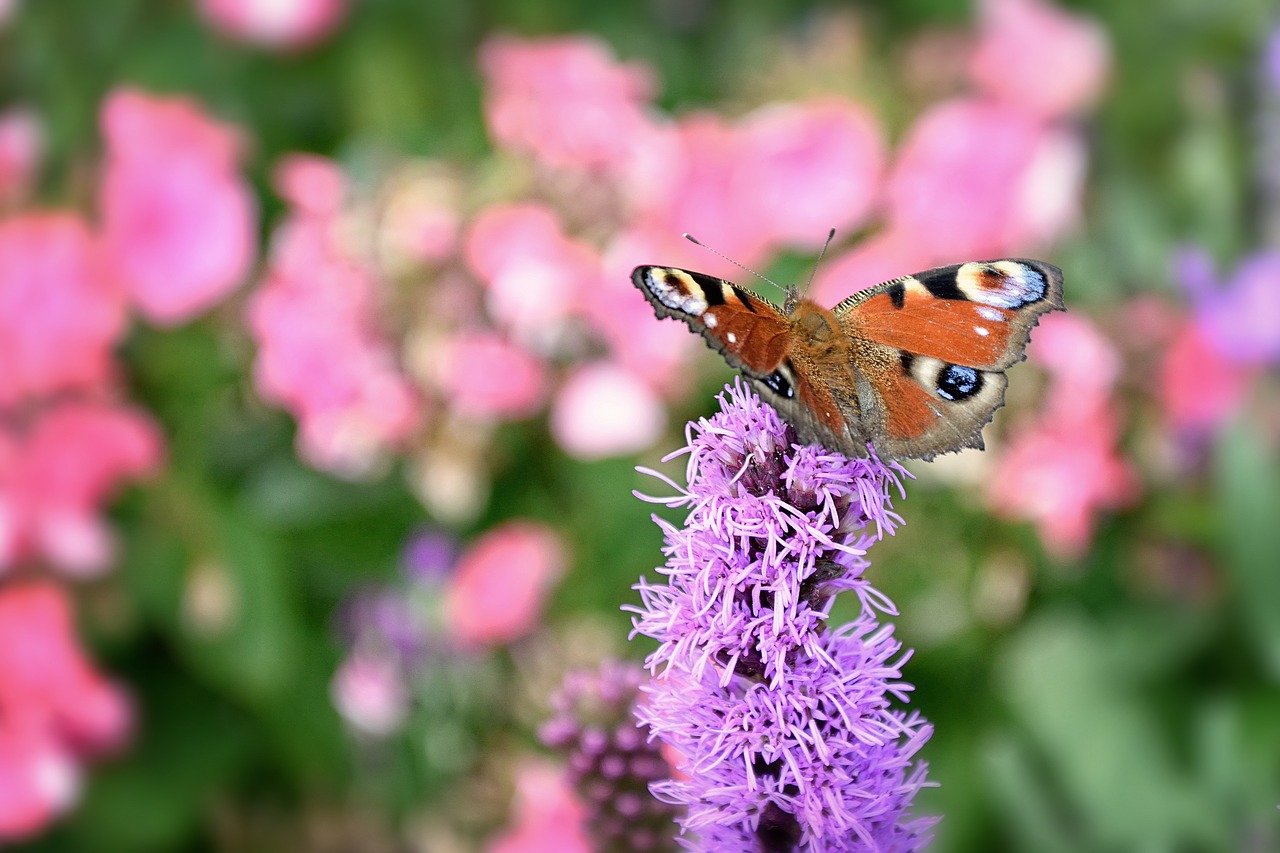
(611, 764)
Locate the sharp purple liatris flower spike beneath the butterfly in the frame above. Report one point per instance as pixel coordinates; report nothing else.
(787, 727)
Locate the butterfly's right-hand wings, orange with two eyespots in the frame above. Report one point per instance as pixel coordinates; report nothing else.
(931, 350)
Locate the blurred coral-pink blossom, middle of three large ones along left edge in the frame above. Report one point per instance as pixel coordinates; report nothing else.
(56, 475)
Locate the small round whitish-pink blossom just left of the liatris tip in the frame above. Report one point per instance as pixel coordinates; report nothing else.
(604, 410)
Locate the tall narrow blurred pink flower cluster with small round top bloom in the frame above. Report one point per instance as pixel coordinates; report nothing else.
(321, 353)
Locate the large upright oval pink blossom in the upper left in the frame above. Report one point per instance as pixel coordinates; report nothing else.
(179, 220)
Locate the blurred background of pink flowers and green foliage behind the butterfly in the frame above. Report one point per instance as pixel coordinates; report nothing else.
(323, 387)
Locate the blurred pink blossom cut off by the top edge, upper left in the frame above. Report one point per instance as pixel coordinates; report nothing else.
(286, 25)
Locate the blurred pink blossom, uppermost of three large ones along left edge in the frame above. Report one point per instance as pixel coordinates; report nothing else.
(61, 313)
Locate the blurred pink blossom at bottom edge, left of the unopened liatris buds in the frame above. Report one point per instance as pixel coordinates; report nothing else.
(547, 818)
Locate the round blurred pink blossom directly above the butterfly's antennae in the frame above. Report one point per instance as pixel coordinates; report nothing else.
(812, 167)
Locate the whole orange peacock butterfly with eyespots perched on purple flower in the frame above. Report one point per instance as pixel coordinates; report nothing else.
(915, 367)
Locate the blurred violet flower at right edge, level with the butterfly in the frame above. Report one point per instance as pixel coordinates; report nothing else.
(1242, 317)
